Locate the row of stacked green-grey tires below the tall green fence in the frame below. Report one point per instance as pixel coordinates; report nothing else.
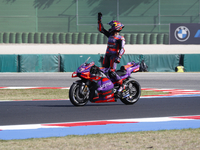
(79, 38)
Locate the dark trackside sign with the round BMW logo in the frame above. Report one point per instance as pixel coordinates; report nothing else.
(184, 33)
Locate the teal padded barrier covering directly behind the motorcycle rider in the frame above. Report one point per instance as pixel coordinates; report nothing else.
(70, 62)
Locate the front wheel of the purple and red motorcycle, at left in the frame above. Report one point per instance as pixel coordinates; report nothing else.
(77, 98)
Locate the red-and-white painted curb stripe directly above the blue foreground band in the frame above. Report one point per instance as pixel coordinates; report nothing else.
(100, 122)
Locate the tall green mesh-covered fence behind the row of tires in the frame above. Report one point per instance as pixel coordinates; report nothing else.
(139, 16)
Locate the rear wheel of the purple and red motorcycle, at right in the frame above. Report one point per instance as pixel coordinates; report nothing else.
(132, 92)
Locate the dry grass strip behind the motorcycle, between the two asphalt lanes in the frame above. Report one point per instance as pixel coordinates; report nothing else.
(34, 94)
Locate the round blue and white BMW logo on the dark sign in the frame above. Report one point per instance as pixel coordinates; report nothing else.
(182, 33)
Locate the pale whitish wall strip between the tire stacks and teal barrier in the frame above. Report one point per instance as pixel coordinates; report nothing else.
(95, 49)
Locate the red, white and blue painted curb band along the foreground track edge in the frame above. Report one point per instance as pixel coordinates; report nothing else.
(10, 132)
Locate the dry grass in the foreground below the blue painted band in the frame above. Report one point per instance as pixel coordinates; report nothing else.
(165, 139)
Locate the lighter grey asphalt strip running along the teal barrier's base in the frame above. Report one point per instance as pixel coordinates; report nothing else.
(147, 80)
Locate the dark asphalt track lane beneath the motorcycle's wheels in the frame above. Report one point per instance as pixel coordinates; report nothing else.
(36, 112)
